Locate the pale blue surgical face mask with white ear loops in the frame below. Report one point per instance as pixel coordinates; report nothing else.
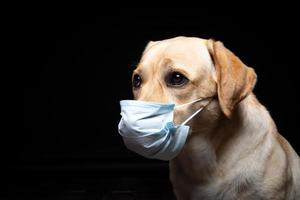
(147, 128)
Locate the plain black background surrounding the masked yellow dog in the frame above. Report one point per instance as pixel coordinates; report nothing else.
(73, 65)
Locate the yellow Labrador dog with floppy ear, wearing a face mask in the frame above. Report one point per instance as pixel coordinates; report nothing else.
(233, 149)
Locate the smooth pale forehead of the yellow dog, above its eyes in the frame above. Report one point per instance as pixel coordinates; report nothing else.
(184, 49)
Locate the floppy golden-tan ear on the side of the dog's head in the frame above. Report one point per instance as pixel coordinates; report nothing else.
(234, 79)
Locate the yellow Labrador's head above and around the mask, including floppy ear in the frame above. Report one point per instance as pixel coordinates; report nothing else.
(182, 69)
